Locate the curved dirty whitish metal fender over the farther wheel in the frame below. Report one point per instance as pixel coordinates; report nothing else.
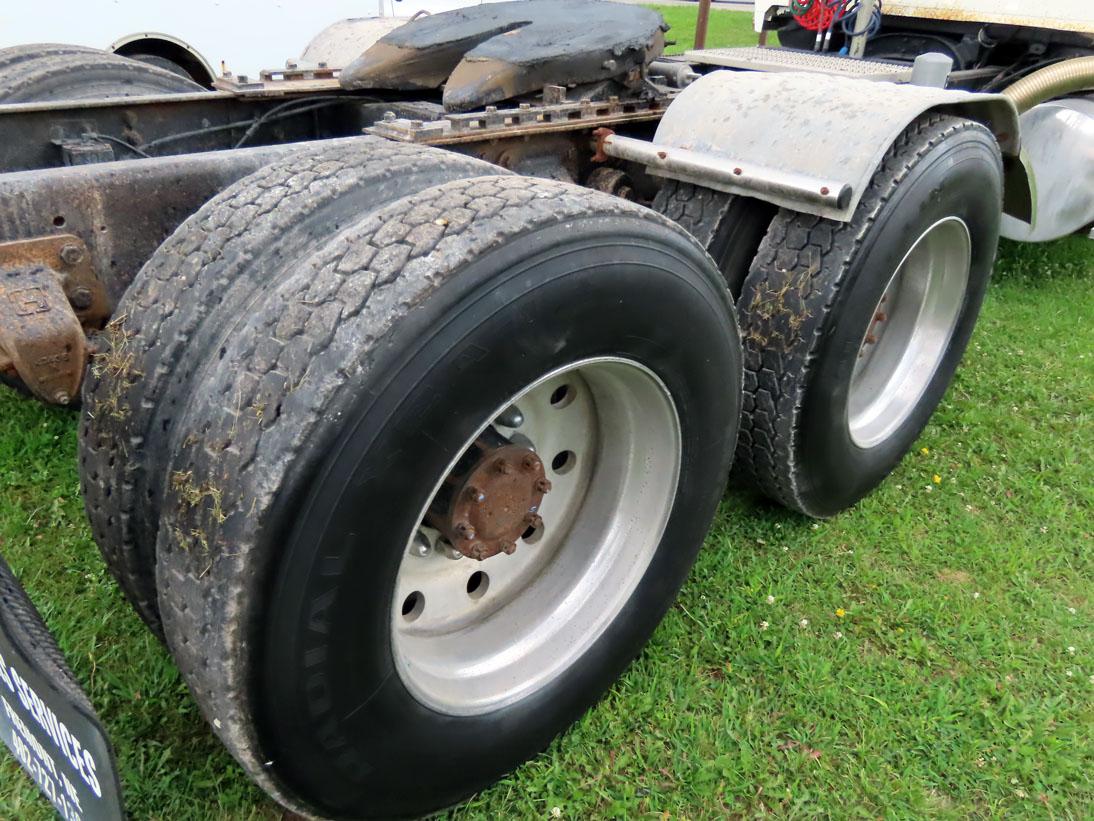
(818, 128)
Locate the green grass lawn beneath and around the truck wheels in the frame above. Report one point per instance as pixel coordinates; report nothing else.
(948, 695)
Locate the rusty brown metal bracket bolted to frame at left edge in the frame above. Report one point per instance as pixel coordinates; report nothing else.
(50, 297)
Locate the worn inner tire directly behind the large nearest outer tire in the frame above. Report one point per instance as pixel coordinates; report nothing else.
(180, 305)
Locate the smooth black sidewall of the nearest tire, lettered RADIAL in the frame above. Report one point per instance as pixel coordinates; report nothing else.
(342, 729)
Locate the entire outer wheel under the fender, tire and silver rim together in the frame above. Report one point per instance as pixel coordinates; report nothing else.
(853, 331)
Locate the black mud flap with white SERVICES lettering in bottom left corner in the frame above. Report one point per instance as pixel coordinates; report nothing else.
(46, 720)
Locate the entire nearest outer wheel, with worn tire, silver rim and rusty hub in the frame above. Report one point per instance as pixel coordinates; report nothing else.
(345, 657)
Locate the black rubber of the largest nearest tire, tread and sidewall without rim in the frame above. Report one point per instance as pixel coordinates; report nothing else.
(375, 360)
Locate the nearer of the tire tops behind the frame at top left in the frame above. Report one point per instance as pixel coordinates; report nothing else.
(54, 73)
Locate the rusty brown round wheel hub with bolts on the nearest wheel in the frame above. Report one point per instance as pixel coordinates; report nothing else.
(494, 503)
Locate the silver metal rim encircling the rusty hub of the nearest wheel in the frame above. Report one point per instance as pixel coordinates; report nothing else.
(487, 634)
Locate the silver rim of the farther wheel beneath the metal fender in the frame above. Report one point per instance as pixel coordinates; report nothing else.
(910, 332)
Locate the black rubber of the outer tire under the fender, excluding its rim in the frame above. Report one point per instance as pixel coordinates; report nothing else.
(811, 297)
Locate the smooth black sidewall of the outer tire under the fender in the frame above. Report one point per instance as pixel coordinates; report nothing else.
(960, 178)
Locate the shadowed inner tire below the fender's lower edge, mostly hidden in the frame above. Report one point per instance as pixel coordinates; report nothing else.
(731, 228)
